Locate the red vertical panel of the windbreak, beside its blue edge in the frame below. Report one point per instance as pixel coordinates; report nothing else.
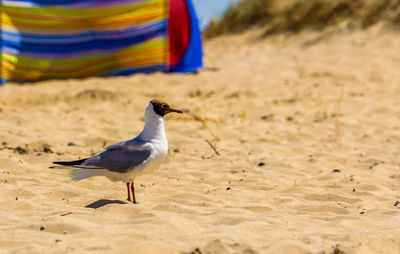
(179, 31)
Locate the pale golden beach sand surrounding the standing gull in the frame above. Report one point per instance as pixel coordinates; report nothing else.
(307, 131)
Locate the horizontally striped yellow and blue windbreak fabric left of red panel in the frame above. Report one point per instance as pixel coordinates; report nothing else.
(53, 39)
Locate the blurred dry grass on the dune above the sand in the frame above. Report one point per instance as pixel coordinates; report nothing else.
(295, 15)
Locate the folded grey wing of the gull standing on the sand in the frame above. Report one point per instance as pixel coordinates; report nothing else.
(118, 160)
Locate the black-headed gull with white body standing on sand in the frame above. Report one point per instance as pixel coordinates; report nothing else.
(125, 160)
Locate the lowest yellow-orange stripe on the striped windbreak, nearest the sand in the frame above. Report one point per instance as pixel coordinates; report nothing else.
(135, 56)
